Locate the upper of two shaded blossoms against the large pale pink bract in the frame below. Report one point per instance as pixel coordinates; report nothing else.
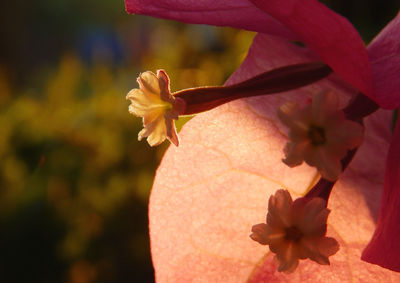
(319, 134)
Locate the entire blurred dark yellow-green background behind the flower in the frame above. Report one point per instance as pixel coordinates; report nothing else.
(74, 180)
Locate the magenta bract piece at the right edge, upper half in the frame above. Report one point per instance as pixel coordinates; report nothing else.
(384, 53)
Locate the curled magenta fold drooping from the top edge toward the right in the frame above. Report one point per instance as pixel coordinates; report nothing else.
(328, 34)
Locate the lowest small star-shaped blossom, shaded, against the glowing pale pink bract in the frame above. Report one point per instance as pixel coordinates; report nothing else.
(295, 230)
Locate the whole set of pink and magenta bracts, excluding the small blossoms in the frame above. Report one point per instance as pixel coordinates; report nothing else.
(211, 190)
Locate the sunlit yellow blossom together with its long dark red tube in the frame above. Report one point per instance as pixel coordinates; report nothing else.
(158, 107)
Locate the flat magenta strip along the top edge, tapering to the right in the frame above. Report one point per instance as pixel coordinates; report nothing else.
(238, 14)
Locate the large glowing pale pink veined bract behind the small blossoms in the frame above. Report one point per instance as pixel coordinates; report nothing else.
(210, 191)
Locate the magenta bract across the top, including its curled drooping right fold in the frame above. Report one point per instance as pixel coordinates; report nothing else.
(328, 34)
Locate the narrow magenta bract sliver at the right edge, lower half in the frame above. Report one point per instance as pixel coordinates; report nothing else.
(384, 248)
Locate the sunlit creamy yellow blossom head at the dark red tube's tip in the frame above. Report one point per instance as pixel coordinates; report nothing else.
(154, 102)
